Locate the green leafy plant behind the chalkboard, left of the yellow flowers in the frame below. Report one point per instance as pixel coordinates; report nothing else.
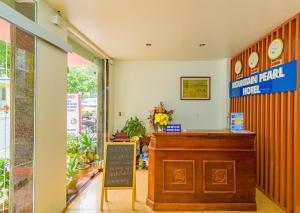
(134, 127)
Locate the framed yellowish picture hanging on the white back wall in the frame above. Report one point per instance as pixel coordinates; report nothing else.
(195, 88)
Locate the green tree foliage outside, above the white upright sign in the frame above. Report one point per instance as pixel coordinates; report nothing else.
(82, 79)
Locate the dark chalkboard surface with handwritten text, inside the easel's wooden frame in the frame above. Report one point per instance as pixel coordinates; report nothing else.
(119, 165)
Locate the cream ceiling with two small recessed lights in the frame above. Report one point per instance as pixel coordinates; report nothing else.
(175, 28)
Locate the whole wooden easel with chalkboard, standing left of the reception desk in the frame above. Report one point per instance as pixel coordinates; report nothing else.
(119, 169)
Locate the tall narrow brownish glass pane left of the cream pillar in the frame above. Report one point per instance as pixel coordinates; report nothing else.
(23, 96)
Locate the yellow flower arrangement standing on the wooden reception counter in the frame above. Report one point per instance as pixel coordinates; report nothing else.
(160, 117)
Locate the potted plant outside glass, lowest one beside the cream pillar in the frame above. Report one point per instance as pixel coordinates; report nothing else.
(72, 172)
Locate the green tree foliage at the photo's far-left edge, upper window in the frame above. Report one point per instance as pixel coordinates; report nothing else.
(5, 49)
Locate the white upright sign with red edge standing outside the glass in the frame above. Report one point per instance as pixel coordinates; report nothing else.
(73, 114)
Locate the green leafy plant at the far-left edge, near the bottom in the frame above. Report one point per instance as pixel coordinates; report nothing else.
(4, 178)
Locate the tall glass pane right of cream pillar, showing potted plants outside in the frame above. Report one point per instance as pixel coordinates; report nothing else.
(81, 122)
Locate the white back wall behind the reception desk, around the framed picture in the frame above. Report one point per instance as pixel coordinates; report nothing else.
(140, 85)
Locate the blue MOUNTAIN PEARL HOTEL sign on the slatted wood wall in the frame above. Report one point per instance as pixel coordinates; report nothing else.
(281, 78)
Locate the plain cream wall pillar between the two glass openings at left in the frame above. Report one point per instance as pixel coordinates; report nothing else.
(50, 147)
